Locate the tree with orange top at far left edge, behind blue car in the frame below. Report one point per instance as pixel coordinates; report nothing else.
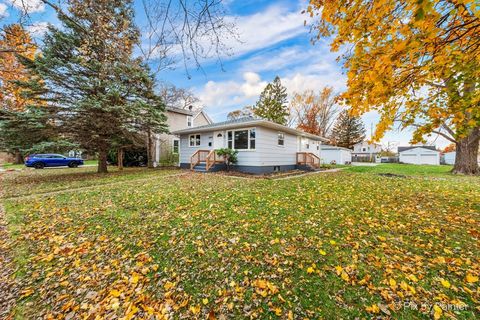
(21, 126)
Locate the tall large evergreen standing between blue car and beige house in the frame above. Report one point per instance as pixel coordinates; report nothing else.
(99, 94)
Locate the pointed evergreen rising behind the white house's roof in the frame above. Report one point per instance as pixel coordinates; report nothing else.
(272, 104)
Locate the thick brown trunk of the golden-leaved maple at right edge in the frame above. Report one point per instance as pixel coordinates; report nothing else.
(466, 159)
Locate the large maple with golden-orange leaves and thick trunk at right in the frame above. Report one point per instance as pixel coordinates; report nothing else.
(414, 61)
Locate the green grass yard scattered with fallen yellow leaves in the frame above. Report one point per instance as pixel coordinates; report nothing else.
(351, 244)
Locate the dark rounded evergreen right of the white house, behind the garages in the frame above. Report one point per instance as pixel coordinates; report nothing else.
(347, 131)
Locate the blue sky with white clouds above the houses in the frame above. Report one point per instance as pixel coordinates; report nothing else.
(273, 40)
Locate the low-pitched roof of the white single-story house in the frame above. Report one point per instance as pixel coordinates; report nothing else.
(248, 121)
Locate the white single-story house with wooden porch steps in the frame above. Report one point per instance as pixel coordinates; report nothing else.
(263, 146)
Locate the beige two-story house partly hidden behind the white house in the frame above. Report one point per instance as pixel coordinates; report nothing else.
(167, 144)
